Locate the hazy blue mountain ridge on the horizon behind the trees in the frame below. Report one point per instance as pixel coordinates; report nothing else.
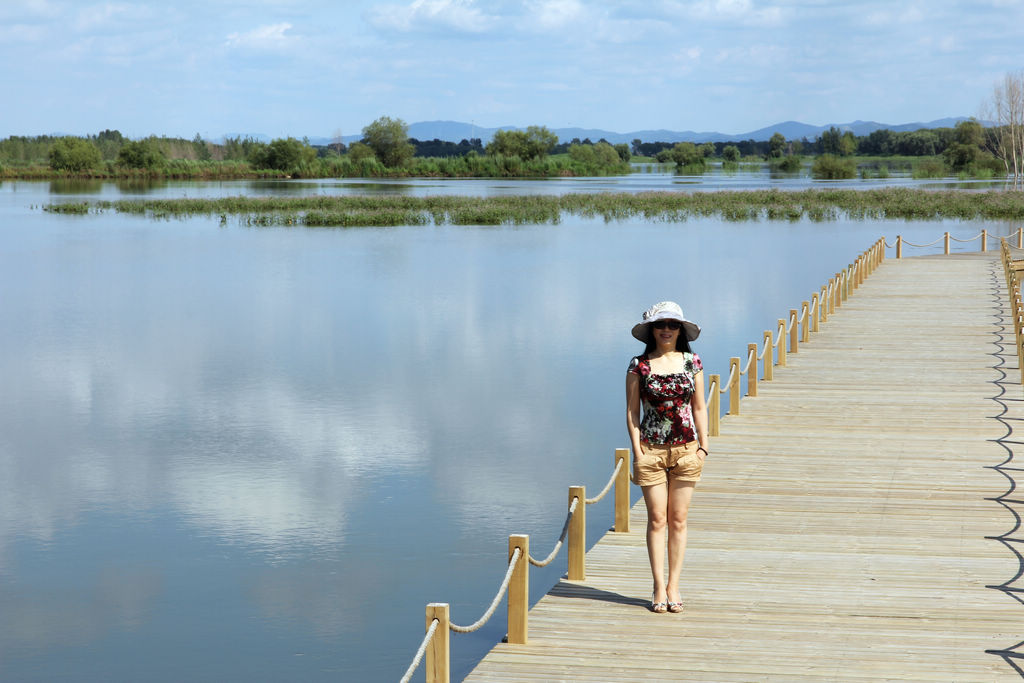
(455, 132)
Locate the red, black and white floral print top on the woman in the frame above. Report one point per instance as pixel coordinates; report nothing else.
(666, 401)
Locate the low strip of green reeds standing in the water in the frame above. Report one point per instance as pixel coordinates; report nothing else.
(735, 206)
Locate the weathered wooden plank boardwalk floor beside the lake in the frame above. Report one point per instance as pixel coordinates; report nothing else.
(847, 528)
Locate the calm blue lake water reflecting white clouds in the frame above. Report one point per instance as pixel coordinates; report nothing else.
(257, 454)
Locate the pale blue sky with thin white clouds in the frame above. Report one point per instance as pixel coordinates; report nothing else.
(328, 68)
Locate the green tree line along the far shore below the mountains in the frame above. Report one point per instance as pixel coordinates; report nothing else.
(387, 150)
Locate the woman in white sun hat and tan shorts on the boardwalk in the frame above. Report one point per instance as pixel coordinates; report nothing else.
(670, 443)
